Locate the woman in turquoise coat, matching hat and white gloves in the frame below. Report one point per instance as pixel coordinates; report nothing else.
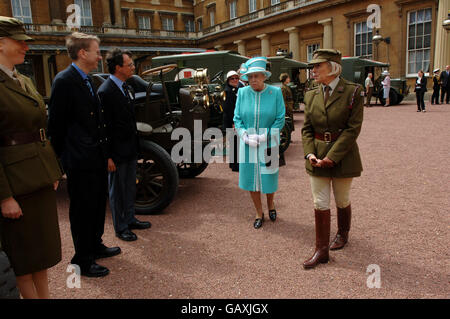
(258, 119)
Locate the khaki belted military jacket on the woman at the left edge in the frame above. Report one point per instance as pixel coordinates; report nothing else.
(24, 168)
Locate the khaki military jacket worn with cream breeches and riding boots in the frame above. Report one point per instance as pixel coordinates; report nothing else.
(339, 115)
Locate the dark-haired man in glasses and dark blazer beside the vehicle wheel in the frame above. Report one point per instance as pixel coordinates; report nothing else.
(117, 101)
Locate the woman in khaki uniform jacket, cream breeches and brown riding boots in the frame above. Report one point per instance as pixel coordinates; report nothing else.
(333, 119)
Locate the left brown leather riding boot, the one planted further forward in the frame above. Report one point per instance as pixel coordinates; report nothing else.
(322, 239)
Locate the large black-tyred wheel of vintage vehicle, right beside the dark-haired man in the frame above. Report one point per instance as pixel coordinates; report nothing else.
(157, 178)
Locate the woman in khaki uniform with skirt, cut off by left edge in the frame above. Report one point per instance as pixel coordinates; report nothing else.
(29, 171)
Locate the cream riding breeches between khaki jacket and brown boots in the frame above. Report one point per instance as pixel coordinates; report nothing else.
(321, 190)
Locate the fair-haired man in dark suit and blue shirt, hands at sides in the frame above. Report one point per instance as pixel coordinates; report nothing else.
(77, 132)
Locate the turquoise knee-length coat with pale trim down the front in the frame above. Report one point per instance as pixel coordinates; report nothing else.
(258, 113)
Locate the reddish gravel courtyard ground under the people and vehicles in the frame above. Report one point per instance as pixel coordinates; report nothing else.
(204, 244)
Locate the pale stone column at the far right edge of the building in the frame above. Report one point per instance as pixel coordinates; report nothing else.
(442, 47)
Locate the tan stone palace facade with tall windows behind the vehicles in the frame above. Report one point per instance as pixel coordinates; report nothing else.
(411, 30)
